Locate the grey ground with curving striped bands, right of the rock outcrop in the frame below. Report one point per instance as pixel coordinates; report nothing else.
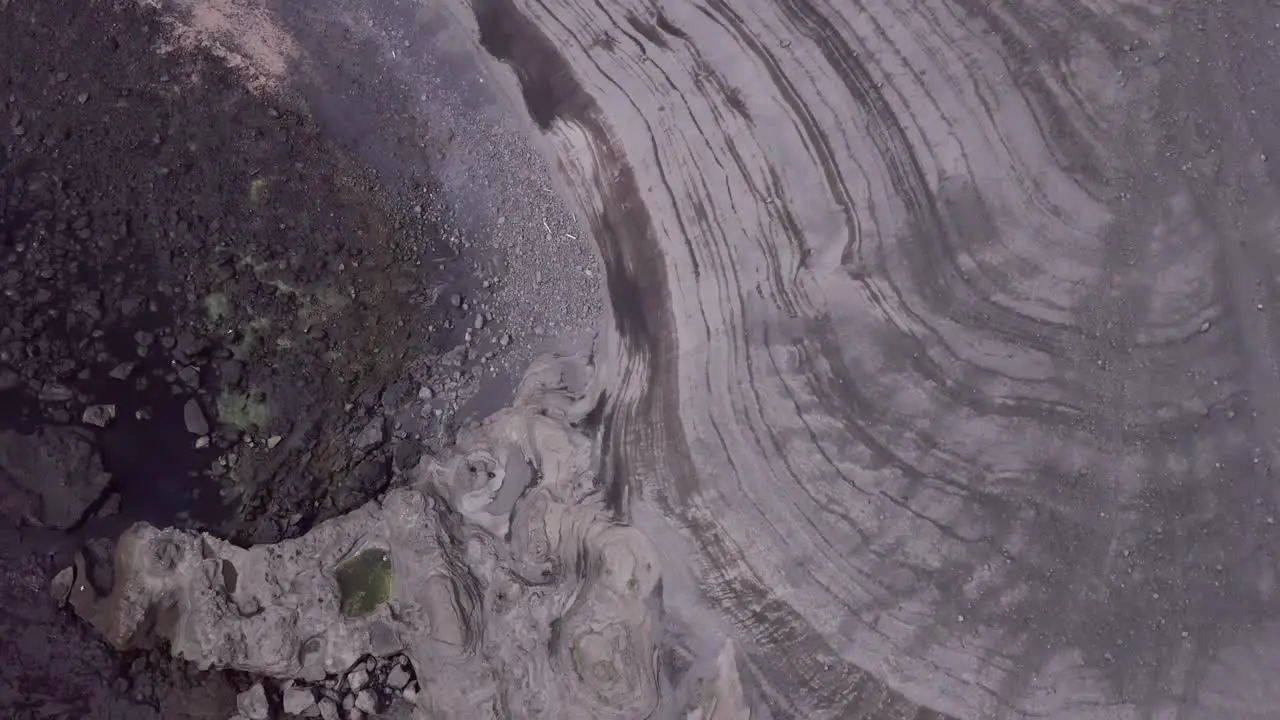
(945, 338)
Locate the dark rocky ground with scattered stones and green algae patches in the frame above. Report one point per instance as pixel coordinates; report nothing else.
(208, 291)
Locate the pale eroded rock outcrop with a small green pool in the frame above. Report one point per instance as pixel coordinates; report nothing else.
(500, 573)
